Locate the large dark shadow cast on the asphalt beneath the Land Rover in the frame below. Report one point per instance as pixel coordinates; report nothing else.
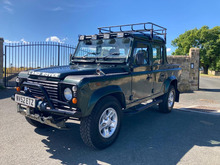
(145, 138)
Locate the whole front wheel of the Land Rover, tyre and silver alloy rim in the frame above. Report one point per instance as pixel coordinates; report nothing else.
(101, 128)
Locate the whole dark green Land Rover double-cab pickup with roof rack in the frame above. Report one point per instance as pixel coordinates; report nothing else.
(123, 69)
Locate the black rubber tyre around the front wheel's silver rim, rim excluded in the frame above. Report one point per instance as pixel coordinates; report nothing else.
(89, 126)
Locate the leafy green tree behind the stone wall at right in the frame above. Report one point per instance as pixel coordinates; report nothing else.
(208, 40)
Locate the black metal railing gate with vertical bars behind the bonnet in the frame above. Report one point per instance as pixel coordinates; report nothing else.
(25, 56)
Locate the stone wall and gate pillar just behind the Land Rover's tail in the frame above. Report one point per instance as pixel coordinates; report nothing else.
(189, 80)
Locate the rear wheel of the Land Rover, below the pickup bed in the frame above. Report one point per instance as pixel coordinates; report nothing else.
(166, 106)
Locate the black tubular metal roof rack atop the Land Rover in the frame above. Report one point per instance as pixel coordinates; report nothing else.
(153, 29)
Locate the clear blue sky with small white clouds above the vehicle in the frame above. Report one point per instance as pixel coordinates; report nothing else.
(63, 20)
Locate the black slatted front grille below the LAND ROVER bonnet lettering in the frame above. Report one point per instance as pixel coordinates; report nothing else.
(50, 86)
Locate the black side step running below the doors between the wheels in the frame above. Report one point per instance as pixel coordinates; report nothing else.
(135, 110)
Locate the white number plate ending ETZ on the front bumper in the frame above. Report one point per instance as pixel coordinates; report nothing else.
(28, 101)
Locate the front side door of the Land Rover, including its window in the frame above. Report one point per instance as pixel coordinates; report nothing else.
(142, 78)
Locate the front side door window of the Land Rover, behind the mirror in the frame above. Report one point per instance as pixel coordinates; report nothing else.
(142, 50)
